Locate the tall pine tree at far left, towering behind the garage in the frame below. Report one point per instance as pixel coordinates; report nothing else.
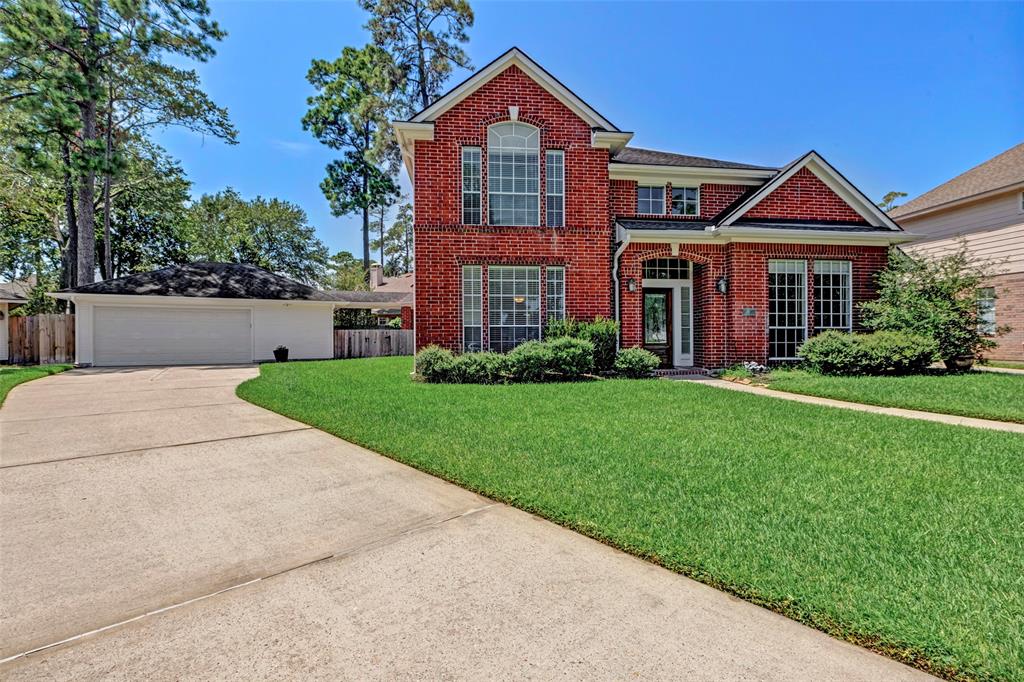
(71, 55)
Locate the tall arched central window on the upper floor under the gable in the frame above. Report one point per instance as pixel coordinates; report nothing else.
(514, 175)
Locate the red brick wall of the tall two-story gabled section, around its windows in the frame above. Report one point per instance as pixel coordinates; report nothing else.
(444, 245)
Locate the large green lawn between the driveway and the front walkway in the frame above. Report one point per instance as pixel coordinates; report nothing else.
(905, 536)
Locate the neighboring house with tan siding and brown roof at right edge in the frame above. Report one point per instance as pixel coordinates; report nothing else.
(985, 207)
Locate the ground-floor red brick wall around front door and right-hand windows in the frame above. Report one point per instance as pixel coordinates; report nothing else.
(722, 335)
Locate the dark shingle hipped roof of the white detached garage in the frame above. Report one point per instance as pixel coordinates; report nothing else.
(208, 281)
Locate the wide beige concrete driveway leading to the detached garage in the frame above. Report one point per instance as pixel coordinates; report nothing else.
(155, 526)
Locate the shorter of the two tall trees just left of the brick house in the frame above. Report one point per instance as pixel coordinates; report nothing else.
(350, 113)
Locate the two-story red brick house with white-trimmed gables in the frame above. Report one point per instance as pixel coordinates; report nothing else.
(530, 206)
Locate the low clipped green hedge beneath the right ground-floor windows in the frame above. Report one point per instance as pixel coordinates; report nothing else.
(878, 354)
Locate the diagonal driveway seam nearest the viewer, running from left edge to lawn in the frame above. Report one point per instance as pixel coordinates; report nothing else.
(339, 555)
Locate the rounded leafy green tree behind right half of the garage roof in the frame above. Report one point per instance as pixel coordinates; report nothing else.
(269, 233)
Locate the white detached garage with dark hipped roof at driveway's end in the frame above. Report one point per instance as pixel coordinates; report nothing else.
(201, 314)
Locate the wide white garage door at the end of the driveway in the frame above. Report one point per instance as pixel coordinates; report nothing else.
(142, 335)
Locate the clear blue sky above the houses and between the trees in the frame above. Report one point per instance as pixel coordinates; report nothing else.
(898, 97)
